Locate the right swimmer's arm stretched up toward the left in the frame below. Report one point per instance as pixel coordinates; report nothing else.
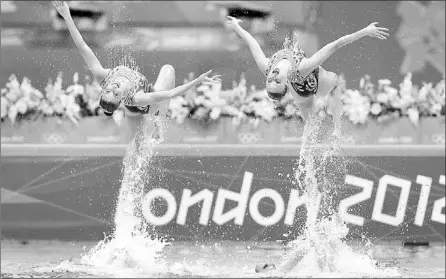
(256, 50)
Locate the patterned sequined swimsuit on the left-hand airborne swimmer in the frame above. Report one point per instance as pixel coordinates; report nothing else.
(138, 81)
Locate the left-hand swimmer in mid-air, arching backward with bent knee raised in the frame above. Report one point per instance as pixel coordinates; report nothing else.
(125, 84)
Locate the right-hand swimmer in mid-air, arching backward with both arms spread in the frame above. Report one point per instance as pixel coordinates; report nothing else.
(289, 70)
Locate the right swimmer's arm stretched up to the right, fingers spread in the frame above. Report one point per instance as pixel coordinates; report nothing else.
(309, 64)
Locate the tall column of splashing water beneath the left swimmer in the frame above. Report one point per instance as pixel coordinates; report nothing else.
(134, 245)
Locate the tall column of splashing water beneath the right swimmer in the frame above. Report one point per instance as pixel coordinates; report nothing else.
(321, 248)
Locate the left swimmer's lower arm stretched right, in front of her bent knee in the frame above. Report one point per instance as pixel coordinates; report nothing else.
(142, 99)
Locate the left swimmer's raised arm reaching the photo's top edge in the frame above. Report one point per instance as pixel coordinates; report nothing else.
(89, 57)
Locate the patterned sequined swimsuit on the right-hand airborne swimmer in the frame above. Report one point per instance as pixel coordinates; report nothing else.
(304, 86)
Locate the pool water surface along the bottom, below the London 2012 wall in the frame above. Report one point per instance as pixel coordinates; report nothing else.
(211, 259)
